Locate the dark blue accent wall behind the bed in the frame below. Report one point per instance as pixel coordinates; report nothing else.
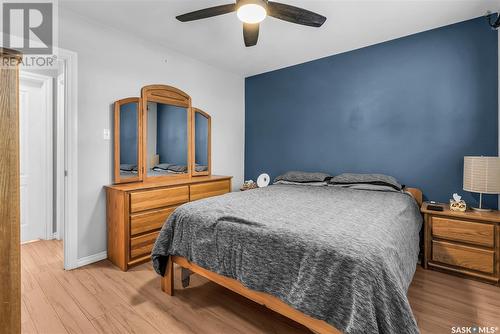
(411, 108)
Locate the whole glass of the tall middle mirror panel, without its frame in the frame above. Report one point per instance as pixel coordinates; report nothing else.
(167, 139)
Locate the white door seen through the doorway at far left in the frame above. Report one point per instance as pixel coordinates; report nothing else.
(36, 101)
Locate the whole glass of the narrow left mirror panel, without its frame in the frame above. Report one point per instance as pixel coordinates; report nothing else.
(128, 140)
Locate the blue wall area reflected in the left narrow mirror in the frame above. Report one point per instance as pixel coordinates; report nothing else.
(128, 133)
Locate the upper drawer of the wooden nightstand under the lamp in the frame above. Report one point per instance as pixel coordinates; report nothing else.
(458, 230)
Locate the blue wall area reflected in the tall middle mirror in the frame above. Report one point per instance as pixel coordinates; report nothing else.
(172, 134)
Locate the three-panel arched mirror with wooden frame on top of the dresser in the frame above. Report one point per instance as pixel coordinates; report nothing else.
(160, 136)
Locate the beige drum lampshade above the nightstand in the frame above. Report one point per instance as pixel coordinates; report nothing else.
(482, 174)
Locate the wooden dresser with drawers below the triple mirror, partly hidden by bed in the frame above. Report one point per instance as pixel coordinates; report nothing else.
(137, 211)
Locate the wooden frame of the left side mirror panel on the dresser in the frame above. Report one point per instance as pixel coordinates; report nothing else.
(117, 111)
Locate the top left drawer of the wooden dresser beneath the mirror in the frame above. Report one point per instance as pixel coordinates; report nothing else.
(157, 198)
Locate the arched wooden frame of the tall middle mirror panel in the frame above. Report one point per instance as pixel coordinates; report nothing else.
(172, 96)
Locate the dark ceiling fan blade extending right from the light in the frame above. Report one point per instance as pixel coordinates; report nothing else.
(294, 14)
